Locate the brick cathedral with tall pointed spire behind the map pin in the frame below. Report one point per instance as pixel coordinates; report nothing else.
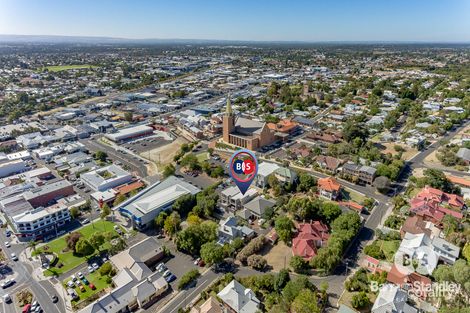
(245, 133)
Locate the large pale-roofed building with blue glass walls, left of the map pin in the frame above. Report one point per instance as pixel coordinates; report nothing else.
(143, 208)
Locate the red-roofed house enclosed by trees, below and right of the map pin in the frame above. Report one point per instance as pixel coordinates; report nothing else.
(310, 237)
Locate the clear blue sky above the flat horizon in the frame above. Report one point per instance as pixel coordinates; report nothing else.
(263, 20)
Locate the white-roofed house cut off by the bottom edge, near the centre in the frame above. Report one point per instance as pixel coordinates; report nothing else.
(238, 299)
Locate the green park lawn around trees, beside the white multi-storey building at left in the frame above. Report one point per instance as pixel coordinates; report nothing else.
(67, 259)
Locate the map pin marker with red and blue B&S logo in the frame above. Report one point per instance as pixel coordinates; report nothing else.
(243, 169)
